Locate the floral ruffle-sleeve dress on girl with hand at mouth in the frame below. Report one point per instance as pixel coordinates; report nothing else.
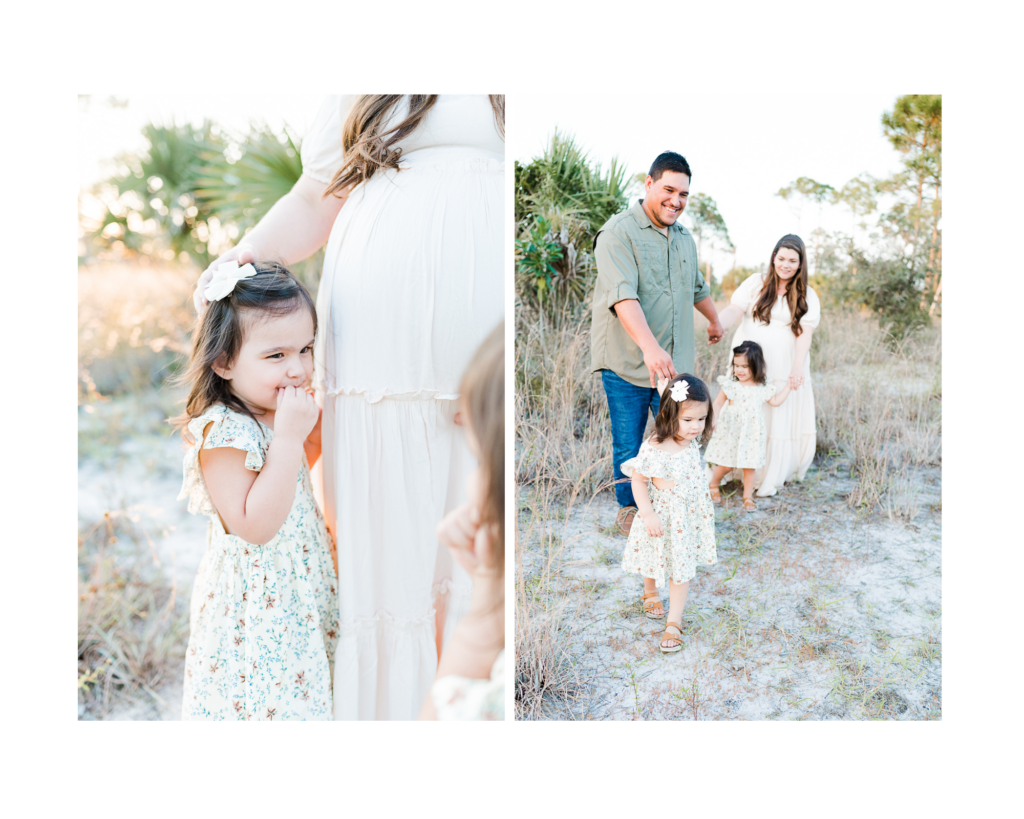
(265, 619)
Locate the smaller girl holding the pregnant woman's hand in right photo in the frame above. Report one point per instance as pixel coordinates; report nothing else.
(742, 437)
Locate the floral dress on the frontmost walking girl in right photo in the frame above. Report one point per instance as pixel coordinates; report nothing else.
(688, 518)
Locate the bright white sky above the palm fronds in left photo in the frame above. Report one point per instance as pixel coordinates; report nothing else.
(109, 124)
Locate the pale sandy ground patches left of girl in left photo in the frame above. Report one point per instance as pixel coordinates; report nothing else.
(145, 479)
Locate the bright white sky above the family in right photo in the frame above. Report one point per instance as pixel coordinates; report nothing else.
(742, 149)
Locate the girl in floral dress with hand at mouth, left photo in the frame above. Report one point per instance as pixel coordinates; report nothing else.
(265, 609)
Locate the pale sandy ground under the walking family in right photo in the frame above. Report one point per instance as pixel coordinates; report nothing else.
(815, 612)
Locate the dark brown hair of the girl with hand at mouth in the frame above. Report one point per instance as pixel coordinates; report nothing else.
(221, 332)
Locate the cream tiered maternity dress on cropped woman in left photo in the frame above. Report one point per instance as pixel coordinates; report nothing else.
(414, 280)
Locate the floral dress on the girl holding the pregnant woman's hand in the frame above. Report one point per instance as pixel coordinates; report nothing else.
(742, 438)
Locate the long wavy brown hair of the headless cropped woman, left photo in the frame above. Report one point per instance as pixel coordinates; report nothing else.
(368, 150)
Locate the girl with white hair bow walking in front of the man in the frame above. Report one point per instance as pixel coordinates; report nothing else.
(675, 528)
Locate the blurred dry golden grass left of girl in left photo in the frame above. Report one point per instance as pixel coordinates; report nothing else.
(133, 624)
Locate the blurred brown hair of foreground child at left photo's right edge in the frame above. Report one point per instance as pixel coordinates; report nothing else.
(483, 393)
